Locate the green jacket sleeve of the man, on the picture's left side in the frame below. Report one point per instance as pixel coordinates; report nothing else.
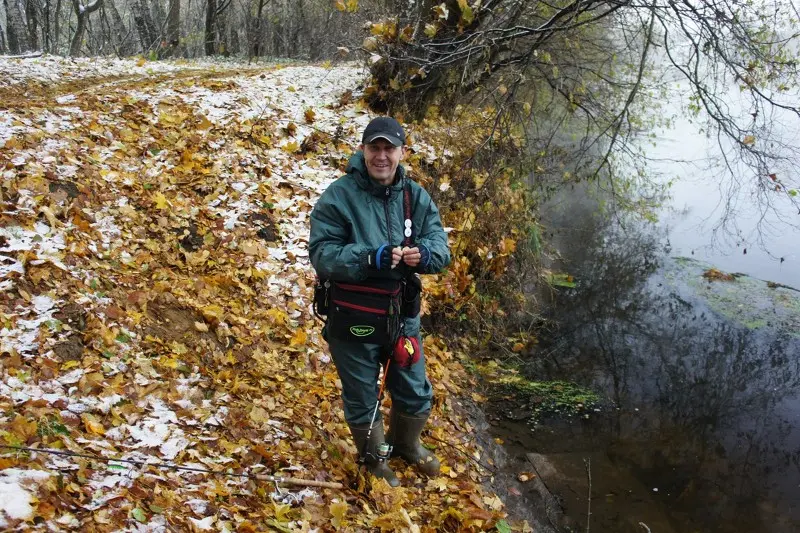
(330, 252)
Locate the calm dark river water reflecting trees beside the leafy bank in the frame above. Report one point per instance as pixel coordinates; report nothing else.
(700, 424)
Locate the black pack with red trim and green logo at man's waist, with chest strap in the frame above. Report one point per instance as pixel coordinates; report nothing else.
(370, 311)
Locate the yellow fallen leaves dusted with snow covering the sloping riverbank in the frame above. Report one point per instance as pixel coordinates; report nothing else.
(155, 306)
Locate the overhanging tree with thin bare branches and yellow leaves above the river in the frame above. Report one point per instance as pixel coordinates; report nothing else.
(596, 59)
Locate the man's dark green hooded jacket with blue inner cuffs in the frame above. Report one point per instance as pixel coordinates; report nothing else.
(356, 215)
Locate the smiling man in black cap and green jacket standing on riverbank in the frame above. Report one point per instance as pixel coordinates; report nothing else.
(357, 228)
